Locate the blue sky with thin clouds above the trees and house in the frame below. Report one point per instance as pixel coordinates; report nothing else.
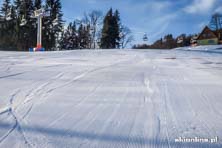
(155, 17)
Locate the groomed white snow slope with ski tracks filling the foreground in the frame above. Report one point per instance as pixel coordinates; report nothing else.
(110, 98)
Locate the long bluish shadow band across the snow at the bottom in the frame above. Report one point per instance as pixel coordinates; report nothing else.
(127, 140)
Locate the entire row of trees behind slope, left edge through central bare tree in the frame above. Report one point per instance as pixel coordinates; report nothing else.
(18, 28)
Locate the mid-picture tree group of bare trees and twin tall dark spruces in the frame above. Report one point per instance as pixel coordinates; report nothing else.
(96, 31)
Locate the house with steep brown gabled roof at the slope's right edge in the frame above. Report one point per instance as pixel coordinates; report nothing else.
(209, 37)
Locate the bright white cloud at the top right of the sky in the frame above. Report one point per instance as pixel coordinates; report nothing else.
(200, 6)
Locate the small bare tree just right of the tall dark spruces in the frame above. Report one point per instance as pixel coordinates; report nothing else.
(126, 36)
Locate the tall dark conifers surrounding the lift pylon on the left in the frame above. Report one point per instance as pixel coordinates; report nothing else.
(18, 26)
